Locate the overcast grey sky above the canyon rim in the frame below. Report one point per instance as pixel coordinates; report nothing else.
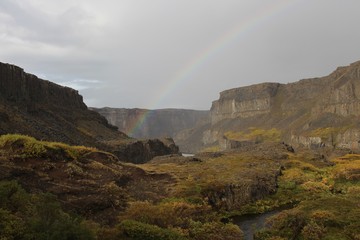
(176, 53)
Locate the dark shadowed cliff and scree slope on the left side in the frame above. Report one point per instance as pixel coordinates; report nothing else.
(47, 111)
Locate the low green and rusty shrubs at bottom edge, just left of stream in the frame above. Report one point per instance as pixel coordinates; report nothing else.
(175, 219)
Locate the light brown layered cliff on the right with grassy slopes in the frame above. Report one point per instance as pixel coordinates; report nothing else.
(320, 112)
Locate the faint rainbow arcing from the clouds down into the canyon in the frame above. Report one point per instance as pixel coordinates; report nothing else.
(184, 74)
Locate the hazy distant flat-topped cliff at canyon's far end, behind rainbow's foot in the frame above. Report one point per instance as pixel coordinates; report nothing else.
(144, 123)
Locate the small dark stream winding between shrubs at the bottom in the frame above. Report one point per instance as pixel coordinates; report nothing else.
(250, 223)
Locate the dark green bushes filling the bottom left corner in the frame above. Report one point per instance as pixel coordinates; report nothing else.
(36, 216)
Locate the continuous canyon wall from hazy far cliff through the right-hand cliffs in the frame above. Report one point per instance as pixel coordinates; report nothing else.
(310, 113)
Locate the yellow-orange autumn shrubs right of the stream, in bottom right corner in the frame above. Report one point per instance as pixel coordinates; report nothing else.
(326, 201)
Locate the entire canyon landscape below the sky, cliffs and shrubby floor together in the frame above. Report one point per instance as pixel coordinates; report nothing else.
(260, 148)
